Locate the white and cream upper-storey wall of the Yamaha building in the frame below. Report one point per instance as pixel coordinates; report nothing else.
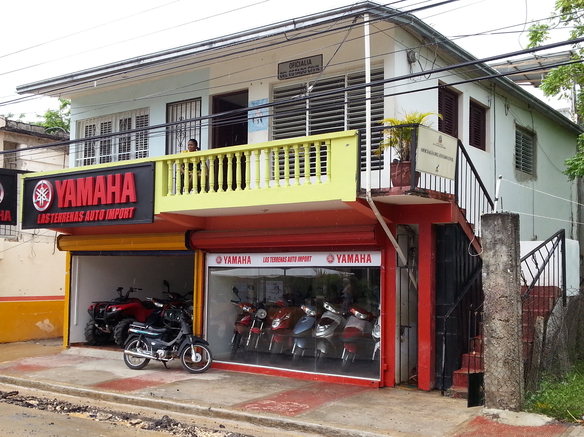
(546, 202)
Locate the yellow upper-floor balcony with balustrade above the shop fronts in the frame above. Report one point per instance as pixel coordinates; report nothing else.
(322, 173)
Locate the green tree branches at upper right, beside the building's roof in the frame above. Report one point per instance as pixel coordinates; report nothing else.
(565, 81)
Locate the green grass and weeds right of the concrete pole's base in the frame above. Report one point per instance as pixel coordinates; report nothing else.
(561, 399)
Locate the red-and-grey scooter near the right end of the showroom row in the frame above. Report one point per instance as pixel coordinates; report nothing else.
(356, 333)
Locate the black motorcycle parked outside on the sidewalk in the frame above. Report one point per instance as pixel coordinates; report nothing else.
(147, 342)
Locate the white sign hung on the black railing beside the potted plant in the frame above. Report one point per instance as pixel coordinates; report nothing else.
(436, 153)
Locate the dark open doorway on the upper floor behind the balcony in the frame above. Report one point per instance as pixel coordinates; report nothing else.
(229, 128)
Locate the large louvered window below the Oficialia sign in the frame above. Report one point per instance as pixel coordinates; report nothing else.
(339, 109)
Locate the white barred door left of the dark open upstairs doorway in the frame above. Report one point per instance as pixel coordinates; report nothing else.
(178, 135)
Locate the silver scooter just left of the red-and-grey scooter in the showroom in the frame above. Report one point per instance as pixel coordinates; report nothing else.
(327, 332)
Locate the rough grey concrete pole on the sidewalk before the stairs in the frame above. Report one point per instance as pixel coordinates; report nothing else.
(502, 330)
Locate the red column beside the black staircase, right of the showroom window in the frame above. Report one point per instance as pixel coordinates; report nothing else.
(426, 307)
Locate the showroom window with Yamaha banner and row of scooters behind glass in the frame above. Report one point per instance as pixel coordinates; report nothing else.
(309, 312)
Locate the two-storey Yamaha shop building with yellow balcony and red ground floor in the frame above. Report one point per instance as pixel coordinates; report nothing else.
(280, 202)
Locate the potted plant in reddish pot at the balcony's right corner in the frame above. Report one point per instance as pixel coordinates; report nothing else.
(400, 140)
